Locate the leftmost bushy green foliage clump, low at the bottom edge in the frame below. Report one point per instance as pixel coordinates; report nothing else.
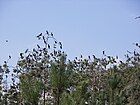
(31, 89)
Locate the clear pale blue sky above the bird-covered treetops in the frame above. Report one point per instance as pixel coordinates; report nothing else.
(84, 27)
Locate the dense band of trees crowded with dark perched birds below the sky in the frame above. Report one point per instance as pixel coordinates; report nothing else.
(44, 76)
